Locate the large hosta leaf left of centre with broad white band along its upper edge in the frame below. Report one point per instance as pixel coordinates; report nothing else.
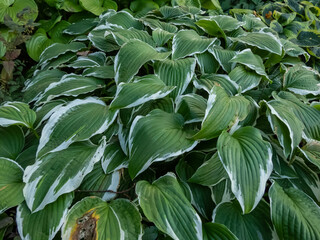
(77, 121)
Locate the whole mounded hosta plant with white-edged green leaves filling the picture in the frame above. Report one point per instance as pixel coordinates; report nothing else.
(171, 124)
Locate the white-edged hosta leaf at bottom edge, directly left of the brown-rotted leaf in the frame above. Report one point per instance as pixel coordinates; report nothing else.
(49, 220)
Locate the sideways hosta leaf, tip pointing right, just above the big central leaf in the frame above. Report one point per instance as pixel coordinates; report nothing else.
(135, 93)
